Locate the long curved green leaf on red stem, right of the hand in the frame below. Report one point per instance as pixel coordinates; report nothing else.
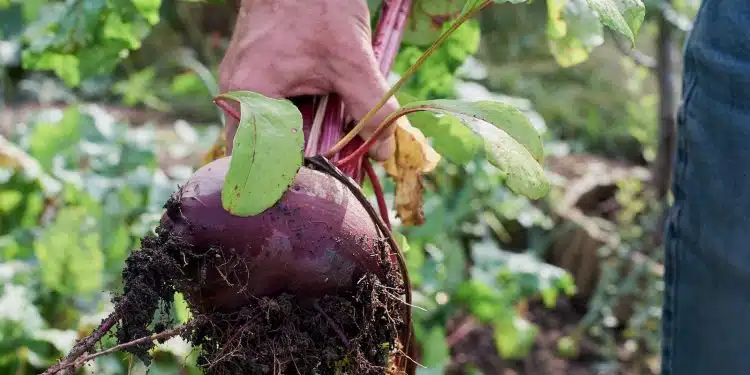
(510, 140)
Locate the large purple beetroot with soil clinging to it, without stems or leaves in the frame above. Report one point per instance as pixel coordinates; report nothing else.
(312, 285)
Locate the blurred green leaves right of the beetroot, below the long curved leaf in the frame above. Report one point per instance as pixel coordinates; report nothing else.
(457, 259)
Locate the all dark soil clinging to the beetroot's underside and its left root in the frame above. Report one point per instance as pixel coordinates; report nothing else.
(349, 333)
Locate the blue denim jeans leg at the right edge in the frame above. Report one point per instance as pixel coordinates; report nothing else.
(706, 321)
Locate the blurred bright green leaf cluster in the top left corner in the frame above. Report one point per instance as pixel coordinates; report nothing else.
(78, 39)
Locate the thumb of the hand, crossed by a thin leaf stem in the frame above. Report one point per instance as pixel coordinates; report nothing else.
(361, 87)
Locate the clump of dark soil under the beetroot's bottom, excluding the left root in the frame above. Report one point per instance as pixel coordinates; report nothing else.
(345, 334)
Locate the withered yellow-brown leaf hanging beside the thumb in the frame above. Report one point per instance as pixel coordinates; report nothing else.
(413, 157)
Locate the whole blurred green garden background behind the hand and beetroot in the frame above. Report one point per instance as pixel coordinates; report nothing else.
(95, 139)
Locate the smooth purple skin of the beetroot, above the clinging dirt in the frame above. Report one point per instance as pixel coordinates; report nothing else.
(316, 240)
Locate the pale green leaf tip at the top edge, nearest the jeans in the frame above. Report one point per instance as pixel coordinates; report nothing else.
(623, 16)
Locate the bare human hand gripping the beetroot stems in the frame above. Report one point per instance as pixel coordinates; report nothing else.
(287, 48)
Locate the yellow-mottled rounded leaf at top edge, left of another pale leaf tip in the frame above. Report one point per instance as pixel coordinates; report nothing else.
(573, 31)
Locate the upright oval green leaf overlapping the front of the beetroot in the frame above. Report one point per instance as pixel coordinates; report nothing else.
(267, 153)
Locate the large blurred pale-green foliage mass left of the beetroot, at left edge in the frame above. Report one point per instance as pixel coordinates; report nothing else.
(87, 188)
